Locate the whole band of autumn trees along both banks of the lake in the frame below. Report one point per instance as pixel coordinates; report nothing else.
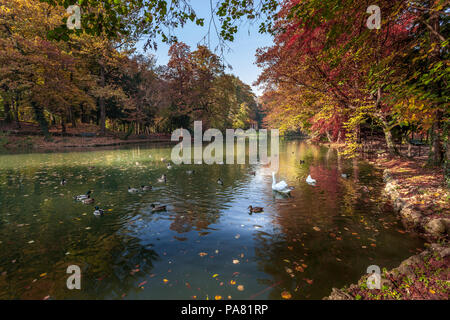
(327, 74)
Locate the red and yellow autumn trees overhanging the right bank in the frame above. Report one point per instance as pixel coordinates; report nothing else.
(328, 74)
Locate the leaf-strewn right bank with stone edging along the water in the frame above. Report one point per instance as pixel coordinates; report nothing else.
(423, 208)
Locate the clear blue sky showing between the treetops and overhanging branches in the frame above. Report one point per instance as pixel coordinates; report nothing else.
(243, 48)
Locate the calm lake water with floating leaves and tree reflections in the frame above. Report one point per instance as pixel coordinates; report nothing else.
(206, 244)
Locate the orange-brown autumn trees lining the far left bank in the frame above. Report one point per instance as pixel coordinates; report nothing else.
(95, 79)
